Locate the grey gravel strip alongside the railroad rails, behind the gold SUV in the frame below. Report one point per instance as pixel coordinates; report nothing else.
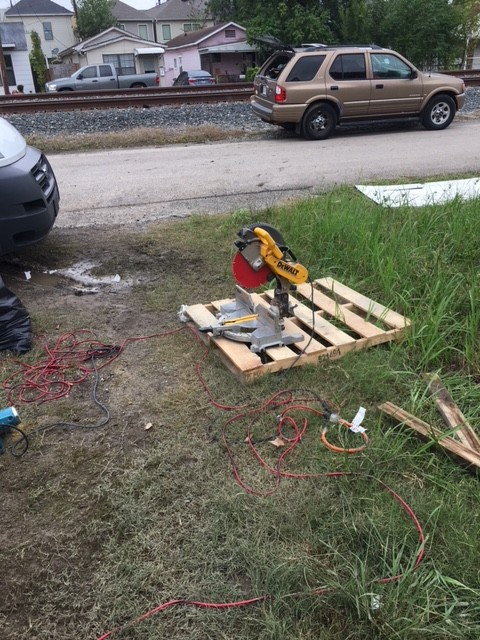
(228, 116)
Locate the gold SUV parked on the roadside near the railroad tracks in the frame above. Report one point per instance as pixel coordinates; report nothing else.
(317, 87)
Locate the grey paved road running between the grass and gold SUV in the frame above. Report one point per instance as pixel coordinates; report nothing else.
(141, 185)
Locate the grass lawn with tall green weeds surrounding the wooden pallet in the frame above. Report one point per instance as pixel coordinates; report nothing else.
(195, 514)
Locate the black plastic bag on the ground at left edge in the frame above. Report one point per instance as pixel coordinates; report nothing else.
(15, 323)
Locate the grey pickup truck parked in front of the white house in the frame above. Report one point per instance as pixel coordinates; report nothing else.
(96, 77)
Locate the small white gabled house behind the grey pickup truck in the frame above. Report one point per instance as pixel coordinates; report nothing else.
(127, 52)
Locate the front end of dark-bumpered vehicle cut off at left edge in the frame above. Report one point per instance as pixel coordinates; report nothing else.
(29, 196)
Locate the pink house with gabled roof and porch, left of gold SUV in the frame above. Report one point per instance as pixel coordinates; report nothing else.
(222, 50)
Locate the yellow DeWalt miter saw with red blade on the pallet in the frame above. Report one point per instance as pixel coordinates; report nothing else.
(262, 256)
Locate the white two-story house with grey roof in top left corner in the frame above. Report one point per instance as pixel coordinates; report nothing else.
(52, 22)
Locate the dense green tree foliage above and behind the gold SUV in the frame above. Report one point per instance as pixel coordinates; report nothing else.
(428, 32)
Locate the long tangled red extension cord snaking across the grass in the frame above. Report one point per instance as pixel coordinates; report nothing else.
(70, 361)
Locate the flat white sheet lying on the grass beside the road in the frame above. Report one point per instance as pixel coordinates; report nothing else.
(419, 195)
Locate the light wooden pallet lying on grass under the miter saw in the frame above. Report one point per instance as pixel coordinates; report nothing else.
(342, 320)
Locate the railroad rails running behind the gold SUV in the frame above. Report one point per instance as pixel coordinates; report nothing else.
(153, 97)
